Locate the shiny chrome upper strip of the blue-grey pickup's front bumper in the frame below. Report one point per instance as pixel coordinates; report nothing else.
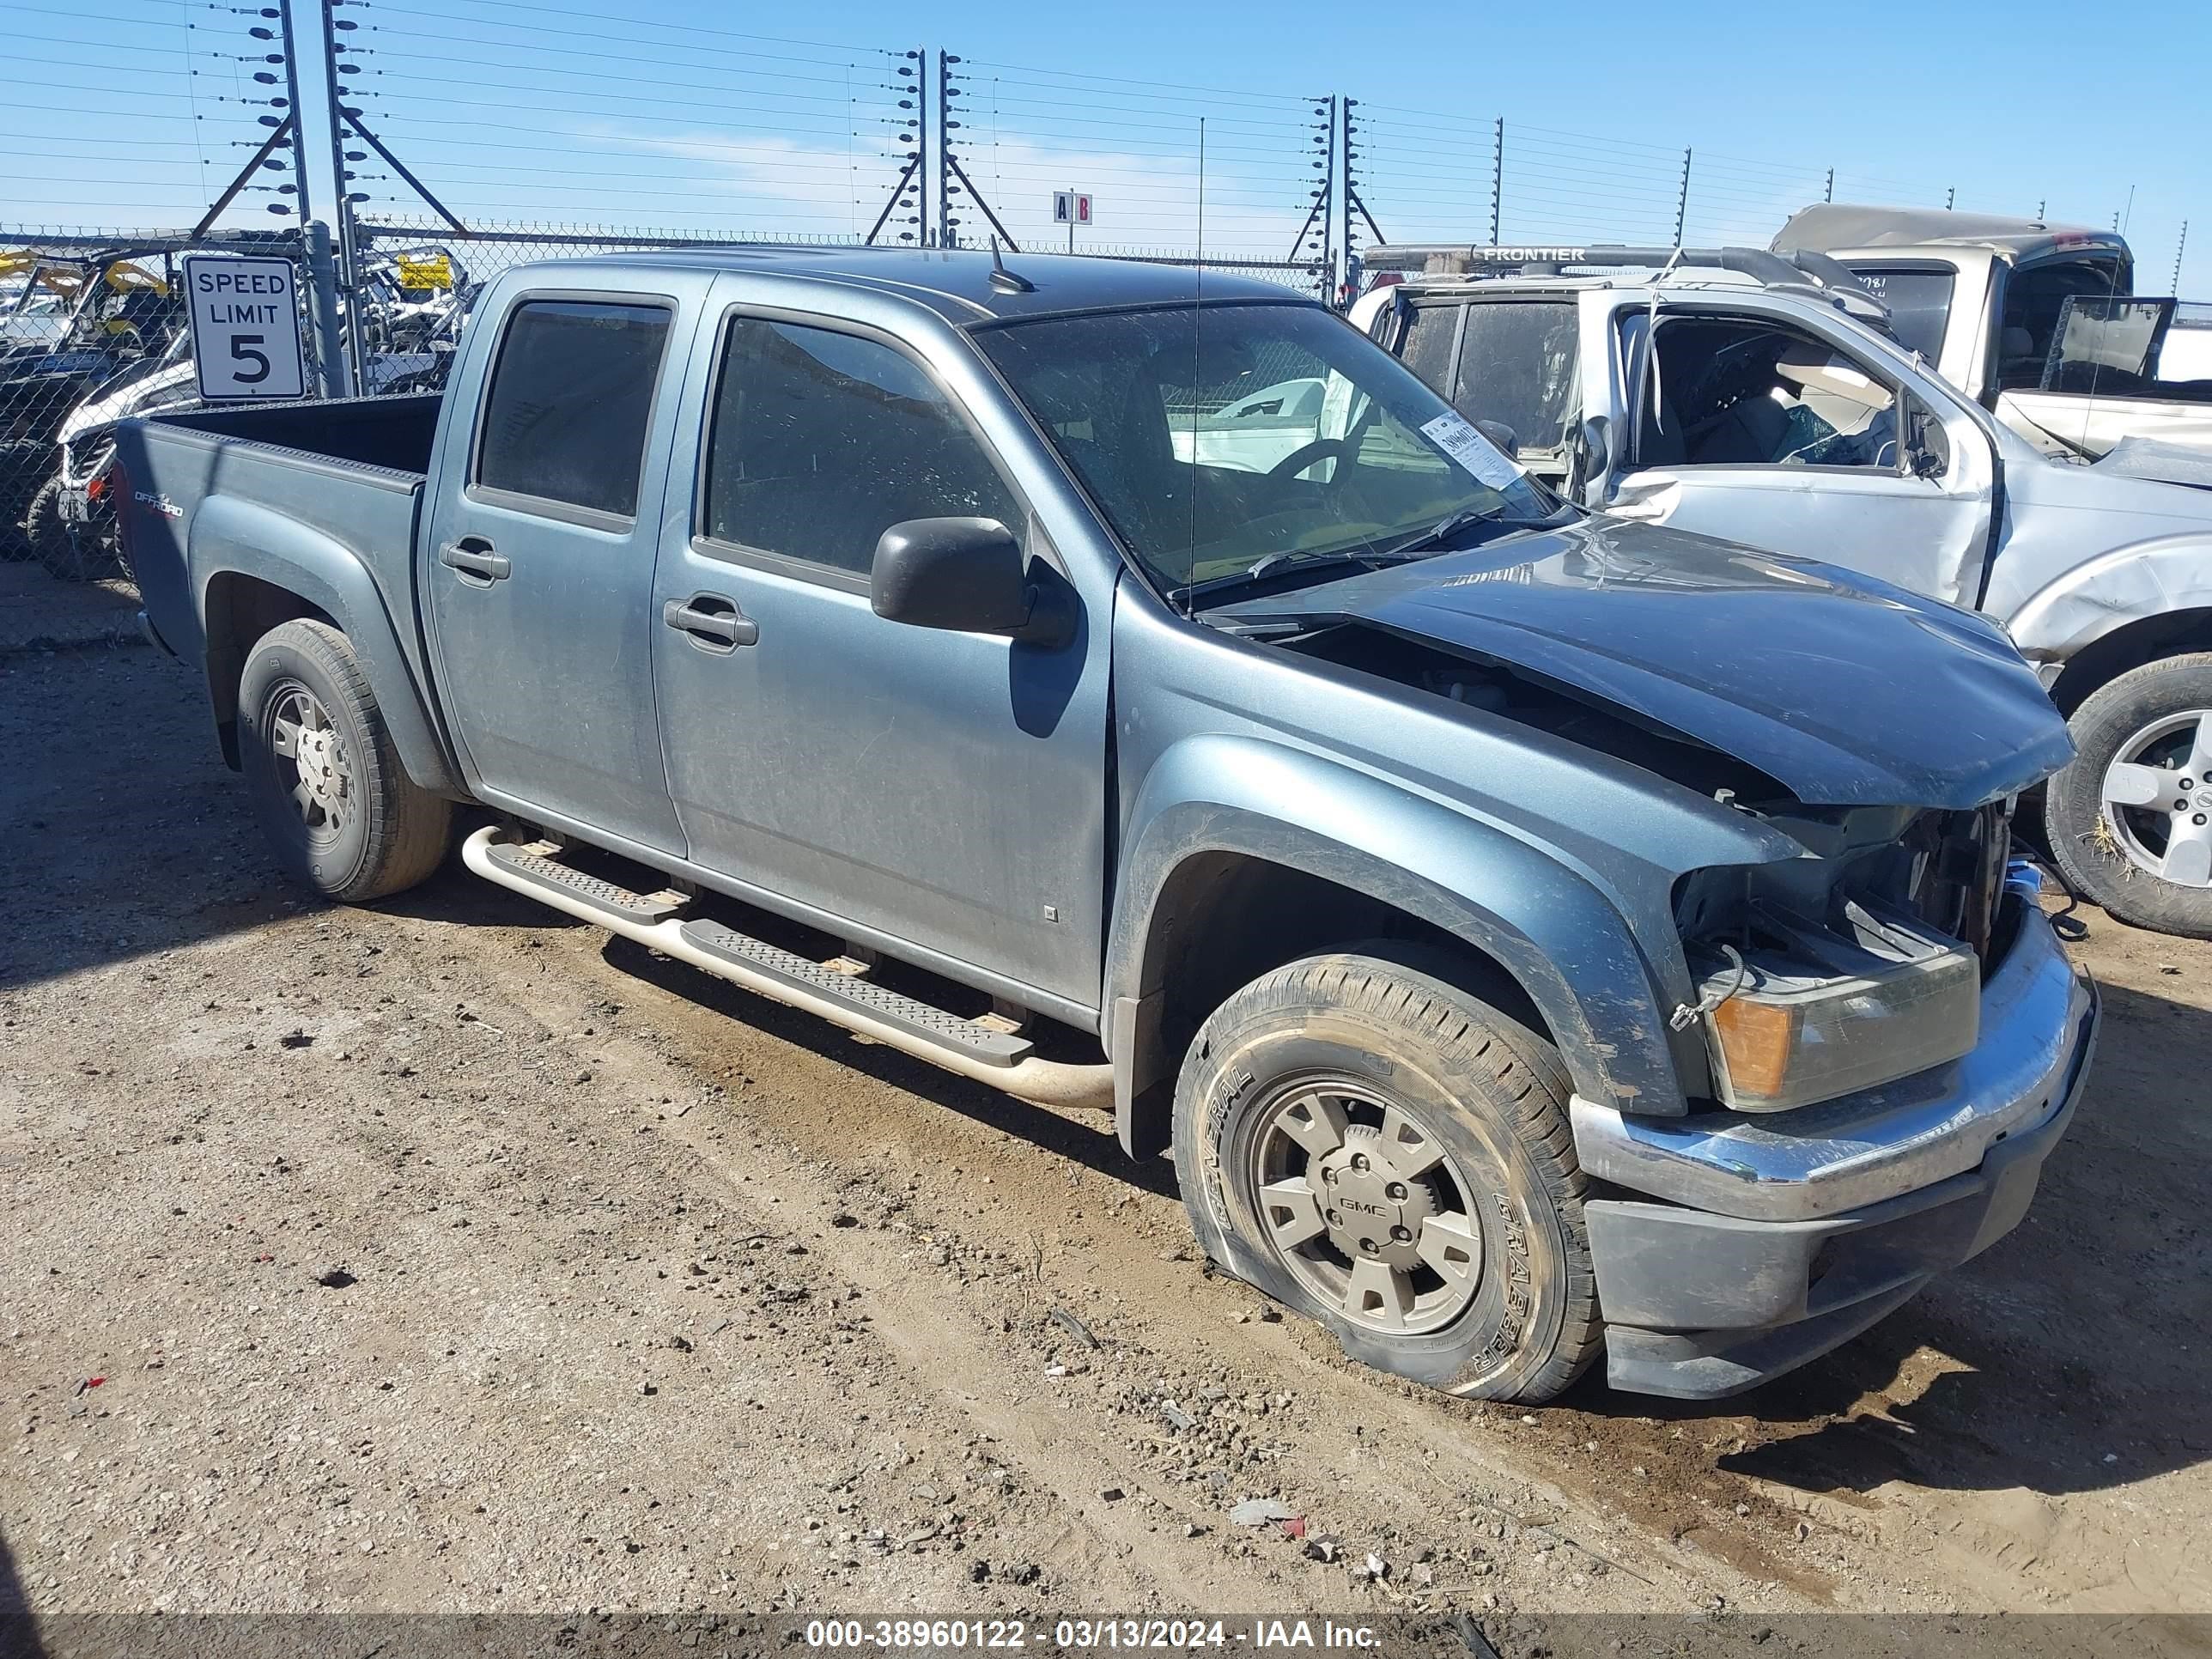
(2038, 1030)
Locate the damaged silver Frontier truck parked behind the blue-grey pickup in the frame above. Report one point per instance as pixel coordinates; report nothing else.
(1744, 395)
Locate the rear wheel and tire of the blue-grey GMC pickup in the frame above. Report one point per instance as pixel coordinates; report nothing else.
(322, 771)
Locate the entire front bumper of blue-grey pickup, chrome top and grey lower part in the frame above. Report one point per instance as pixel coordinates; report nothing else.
(1760, 1242)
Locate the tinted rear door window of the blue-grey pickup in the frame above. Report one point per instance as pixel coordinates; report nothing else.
(570, 404)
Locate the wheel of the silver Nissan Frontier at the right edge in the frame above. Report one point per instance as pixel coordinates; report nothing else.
(2131, 820)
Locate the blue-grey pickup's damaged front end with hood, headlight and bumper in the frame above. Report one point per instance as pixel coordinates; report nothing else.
(1879, 1039)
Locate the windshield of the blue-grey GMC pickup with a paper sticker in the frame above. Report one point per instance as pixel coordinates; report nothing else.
(1227, 435)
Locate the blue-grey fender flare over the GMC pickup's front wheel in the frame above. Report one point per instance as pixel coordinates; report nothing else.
(1561, 939)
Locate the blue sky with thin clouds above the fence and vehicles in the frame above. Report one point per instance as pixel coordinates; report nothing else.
(753, 121)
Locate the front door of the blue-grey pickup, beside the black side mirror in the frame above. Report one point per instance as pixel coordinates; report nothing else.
(939, 793)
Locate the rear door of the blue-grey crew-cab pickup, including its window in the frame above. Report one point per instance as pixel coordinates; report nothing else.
(539, 565)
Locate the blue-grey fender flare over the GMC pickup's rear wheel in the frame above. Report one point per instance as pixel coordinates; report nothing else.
(236, 536)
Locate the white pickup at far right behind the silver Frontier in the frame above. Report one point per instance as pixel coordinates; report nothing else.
(2041, 324)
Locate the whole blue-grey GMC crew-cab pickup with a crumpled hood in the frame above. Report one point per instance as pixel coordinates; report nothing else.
(1534, 935)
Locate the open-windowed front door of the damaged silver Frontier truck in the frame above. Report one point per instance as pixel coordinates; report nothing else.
(1768, 430)
